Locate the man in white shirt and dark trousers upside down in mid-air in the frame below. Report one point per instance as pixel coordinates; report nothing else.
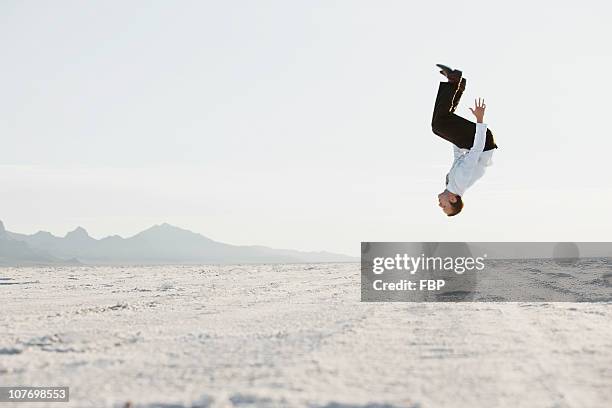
(473, 143)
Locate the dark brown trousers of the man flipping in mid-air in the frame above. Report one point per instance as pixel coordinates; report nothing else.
(449, 126)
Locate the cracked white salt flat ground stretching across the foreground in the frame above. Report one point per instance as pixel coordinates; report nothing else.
(289, 335)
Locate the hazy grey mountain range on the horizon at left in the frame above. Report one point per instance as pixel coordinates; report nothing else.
(160, 244)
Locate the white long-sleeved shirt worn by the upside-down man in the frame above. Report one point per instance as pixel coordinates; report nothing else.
(469, 165)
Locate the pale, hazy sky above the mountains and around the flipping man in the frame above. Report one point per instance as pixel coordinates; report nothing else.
(302, 124)
